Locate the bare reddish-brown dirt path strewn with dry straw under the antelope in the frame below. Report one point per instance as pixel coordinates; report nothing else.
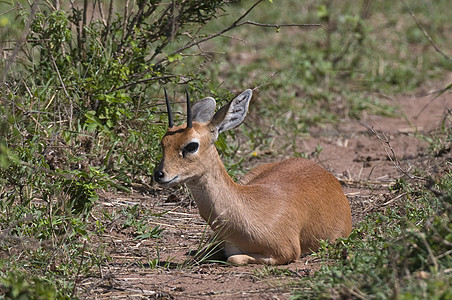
(351, 151)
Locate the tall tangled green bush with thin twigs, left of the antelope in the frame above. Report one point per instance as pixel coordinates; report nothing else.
(81, 100)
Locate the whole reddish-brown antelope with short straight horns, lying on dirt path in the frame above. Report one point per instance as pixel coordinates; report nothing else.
(277, 212)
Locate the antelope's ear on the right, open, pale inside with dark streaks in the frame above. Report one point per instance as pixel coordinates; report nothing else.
(232, 114)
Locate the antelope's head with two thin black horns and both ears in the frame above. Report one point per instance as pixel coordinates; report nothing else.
(188, 149)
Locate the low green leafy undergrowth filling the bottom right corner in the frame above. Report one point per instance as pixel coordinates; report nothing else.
(391, 255)
